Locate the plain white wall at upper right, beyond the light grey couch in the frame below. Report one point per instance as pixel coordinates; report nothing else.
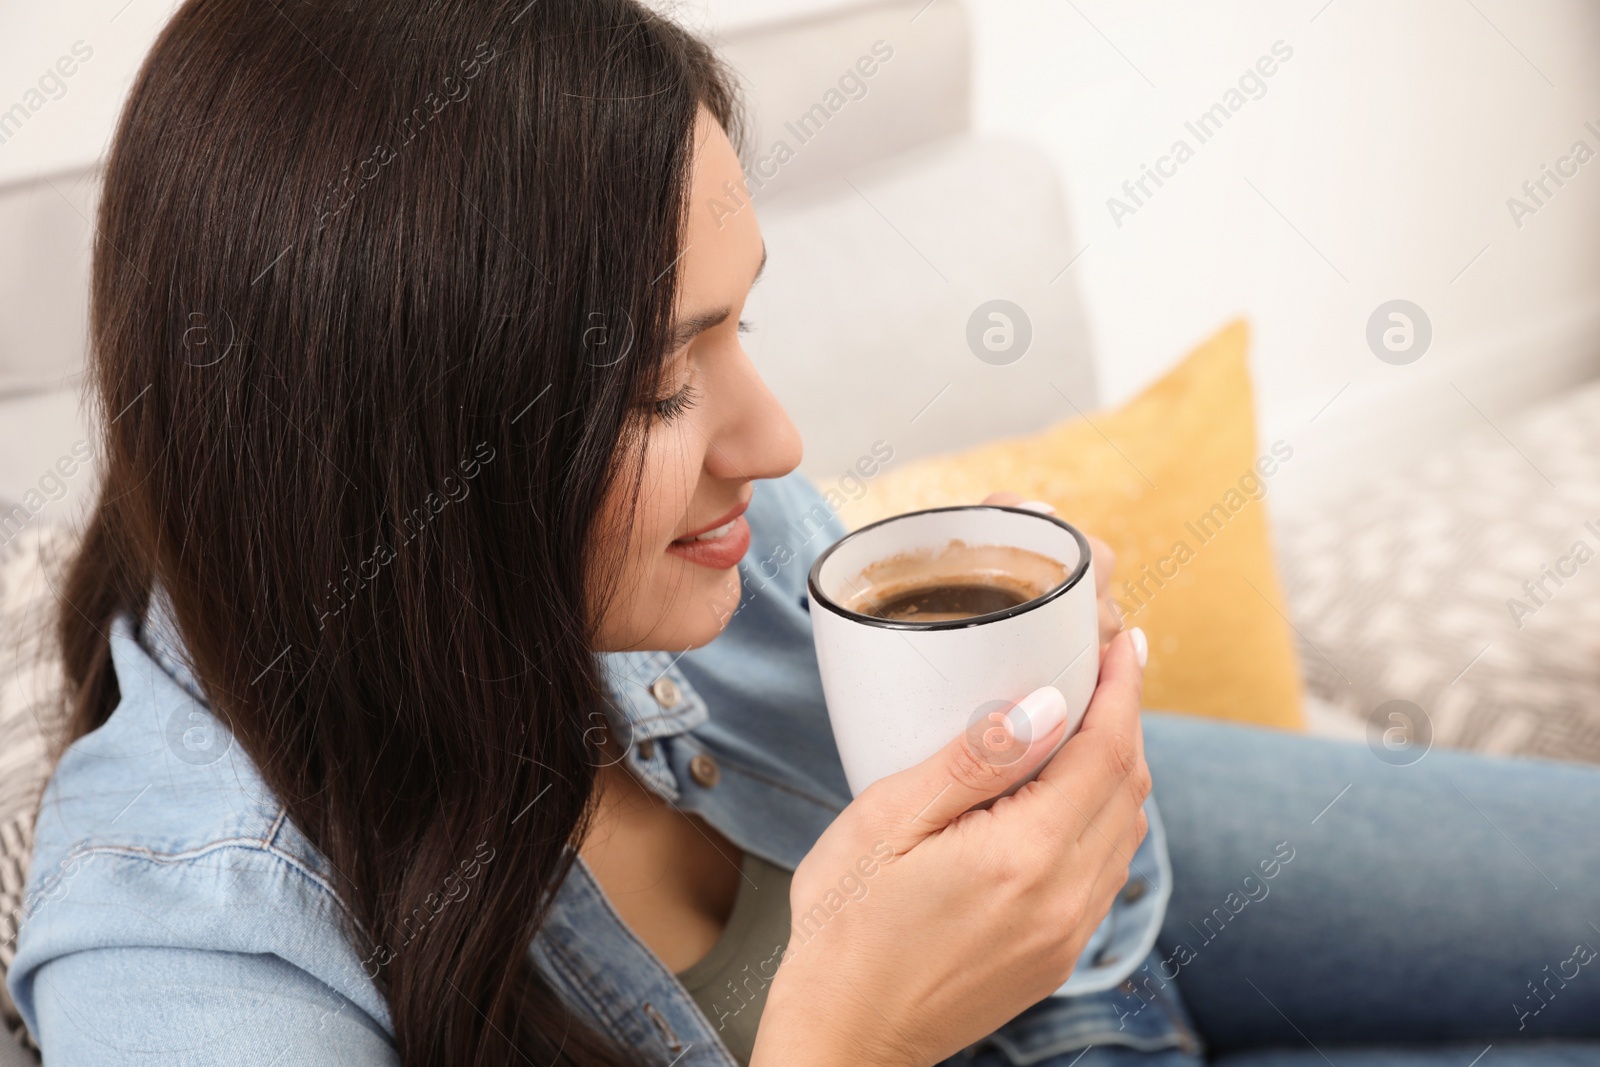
(1390, 142)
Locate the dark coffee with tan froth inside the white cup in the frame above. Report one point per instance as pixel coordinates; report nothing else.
(959, 581)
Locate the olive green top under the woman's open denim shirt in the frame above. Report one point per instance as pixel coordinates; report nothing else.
(730, 983)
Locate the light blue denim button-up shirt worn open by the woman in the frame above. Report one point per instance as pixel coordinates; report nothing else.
(175, 914)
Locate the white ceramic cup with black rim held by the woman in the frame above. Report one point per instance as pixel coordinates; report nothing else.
(898, 692)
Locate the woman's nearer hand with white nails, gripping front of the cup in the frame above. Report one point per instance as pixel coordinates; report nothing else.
(922, 925)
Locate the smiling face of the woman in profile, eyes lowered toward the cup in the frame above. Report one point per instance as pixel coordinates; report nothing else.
(716, 430)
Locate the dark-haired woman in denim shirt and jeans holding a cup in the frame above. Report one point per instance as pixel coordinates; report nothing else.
(425, 714)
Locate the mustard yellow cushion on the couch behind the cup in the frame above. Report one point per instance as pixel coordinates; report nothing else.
(1175, 484)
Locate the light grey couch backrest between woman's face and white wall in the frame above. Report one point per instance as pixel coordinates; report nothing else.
(892, 228)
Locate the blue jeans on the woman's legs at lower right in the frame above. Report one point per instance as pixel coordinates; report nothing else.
(1441, 913)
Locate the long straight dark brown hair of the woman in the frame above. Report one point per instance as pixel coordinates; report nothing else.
(382, 294)
